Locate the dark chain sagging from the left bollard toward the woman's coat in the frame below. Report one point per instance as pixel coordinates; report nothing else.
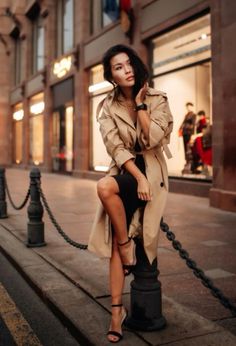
(55, 223)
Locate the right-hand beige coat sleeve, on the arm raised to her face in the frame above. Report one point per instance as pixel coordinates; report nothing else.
(161, 121)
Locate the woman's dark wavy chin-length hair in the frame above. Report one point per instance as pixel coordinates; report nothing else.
(140, 70)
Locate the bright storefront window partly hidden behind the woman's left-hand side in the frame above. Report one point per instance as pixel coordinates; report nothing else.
(98, 89)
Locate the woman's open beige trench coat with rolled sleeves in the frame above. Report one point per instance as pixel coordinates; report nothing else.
(119, 135)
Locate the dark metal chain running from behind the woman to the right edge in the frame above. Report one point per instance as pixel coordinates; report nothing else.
(206, 281)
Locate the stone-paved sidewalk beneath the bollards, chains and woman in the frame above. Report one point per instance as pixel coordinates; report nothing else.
(75, 282)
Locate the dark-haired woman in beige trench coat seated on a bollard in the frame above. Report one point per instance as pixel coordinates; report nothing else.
(135, 124)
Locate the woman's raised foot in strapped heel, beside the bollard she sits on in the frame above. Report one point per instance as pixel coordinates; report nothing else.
(127, 254)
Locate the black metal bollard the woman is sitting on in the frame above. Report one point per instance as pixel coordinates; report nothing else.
(145, 295)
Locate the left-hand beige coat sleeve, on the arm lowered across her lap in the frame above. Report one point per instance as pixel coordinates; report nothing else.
(111, 138)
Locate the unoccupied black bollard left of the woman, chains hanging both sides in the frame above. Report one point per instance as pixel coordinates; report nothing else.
(35, 213)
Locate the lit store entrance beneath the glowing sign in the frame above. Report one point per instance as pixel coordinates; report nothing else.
(62, 141)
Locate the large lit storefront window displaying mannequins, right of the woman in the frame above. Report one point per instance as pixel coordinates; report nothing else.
(182, 69)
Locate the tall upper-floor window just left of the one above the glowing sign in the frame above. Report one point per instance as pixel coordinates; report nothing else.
(38, 44)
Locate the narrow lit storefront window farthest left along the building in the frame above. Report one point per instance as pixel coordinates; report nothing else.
(18, 115)
